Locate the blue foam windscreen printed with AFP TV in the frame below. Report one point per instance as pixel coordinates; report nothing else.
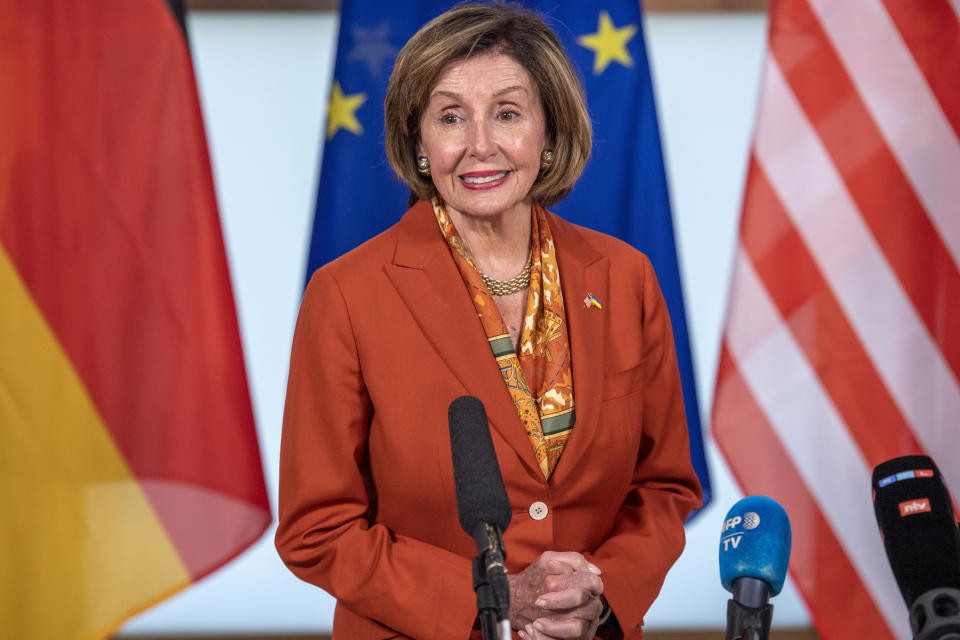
(755, 543)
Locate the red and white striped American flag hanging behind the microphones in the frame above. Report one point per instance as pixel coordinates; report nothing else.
(841, 347)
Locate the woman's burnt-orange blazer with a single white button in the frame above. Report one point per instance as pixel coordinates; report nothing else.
(386, 338)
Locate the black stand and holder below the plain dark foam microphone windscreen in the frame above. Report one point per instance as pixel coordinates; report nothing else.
(490, 584)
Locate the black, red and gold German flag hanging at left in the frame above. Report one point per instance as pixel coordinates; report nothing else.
(129, 464)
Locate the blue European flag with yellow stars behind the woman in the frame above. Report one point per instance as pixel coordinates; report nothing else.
(623, 191)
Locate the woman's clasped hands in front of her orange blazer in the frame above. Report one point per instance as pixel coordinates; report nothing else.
(556, 596)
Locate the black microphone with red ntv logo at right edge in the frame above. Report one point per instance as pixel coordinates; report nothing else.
(916, 520)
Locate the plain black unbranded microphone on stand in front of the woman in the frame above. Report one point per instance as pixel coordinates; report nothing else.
(483, 509)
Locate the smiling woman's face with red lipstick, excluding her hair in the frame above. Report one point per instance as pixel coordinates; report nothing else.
(483, 131)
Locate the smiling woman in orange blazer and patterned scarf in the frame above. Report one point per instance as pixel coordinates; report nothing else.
(560, 331)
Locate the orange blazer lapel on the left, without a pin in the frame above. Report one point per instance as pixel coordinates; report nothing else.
(428, 281)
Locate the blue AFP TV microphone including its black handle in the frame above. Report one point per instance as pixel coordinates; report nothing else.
(754, 554)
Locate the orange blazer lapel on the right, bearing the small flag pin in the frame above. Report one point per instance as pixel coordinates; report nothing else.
(583, 271)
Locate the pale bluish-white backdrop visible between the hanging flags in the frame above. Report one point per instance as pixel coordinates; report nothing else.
(263, 81)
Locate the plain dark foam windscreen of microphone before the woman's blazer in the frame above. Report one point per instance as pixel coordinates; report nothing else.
(481, 496)
